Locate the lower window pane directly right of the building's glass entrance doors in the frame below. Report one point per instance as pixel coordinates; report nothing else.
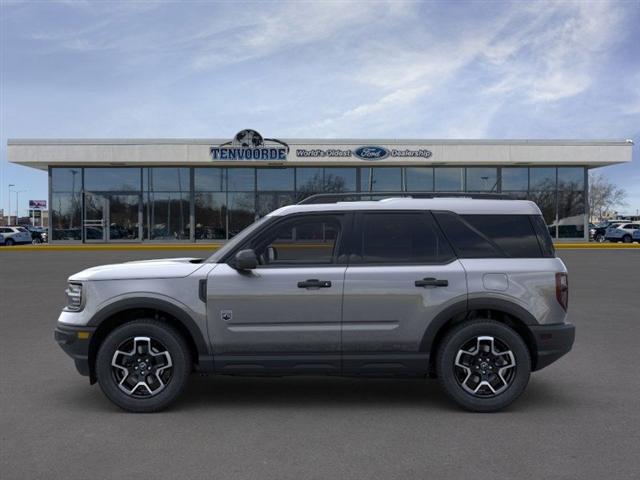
(167, 216)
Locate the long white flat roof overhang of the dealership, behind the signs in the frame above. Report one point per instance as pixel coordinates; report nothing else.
(43, 153)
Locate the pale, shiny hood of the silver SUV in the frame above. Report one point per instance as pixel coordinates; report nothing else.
(161, 268)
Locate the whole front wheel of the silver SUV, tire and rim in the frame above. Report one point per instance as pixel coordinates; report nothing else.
(143, 366)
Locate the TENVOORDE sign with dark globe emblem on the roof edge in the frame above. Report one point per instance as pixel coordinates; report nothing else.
(250, 145)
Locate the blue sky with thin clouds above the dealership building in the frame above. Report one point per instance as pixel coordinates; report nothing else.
(324, 69)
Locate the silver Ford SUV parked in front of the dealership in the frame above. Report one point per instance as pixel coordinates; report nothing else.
(469, 291)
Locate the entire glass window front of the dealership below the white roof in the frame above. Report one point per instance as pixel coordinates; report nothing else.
(226, 200)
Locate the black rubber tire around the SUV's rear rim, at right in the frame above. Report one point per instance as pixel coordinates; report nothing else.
(450, 375)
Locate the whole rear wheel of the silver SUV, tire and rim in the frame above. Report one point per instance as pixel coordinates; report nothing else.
(483, 365)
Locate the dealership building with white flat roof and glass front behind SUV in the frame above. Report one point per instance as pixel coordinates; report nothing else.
(193, 190)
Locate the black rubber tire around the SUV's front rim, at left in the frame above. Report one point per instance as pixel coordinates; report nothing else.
(162, 335)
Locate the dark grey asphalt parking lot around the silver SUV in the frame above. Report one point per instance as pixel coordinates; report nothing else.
(579, 418)
